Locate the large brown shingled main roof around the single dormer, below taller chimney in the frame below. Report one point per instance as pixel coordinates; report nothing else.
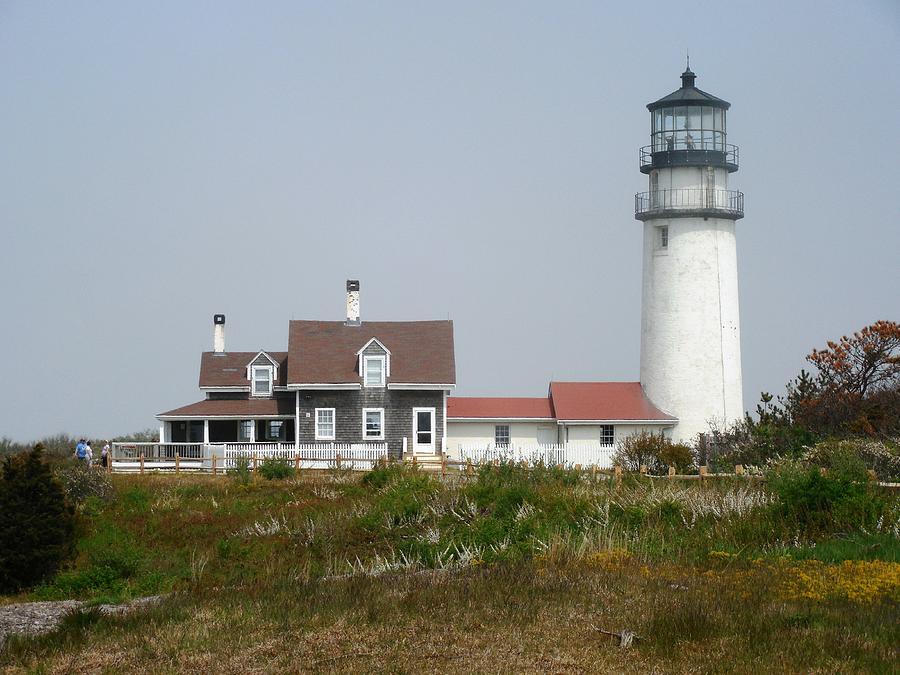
(324, 352)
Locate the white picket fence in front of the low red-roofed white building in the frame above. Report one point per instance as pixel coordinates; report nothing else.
(568, 455)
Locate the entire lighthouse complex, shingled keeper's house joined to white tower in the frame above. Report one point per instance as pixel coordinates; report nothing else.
(391, 383)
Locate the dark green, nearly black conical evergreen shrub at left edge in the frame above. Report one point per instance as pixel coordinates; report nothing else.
(37, 525)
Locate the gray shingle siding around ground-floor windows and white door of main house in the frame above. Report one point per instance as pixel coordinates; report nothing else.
(348, 407)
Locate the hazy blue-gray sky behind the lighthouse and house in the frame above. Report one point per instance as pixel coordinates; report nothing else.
(160, 162)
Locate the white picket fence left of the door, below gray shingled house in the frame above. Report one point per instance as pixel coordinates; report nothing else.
(358, 456)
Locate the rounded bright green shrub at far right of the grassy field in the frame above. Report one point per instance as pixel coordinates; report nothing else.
(840, 497)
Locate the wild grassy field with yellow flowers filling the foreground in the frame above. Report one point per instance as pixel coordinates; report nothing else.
(511, 570)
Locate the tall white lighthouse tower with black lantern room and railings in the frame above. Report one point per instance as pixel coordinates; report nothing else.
(690, 328)
